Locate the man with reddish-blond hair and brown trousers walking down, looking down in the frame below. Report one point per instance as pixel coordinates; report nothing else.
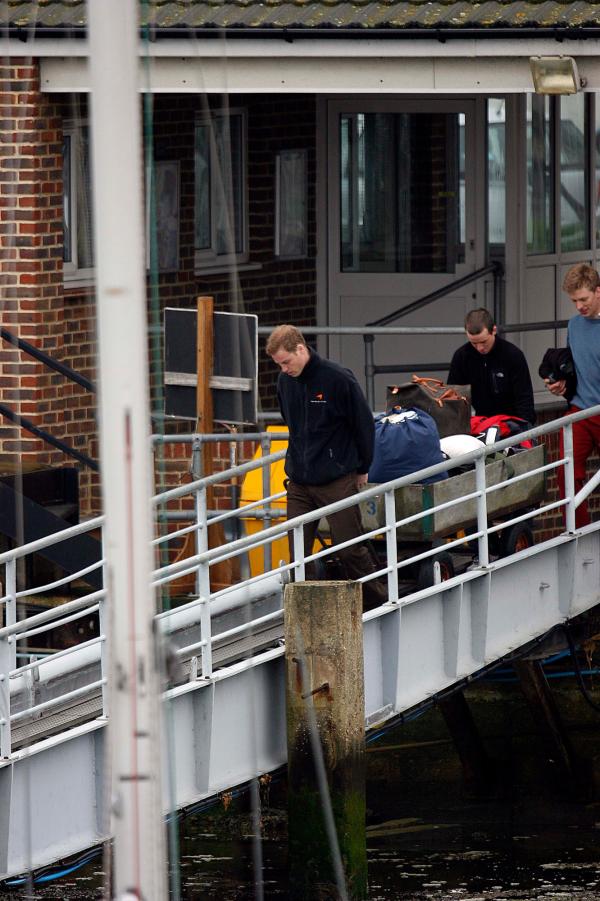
(330, 446)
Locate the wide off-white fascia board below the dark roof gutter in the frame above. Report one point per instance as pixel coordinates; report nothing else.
(231, 74)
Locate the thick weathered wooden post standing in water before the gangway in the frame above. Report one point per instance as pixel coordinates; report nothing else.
(326, 740)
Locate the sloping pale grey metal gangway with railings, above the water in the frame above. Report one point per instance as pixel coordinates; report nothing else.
(223, 650)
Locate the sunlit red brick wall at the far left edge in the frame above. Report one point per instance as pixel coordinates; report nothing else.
(31, 254)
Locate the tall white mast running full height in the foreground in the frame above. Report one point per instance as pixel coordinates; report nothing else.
(134, 731)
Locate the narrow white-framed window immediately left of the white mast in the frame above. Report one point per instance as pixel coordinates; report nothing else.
(77, 208)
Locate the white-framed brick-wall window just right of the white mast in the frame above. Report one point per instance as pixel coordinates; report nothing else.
(220, 216)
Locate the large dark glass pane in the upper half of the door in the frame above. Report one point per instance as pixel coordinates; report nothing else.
(401, 192)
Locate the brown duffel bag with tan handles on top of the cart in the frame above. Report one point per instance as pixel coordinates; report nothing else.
(449, 405)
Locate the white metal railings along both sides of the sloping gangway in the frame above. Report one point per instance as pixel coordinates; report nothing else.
(16, 677)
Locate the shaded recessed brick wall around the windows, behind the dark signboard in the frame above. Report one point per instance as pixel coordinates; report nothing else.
(275, 290)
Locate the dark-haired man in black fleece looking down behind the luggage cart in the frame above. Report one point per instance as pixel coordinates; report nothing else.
(495, 369)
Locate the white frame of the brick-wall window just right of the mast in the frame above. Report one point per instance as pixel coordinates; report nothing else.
(209, 258)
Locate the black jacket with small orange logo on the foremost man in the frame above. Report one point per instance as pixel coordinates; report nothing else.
(331, 426)
